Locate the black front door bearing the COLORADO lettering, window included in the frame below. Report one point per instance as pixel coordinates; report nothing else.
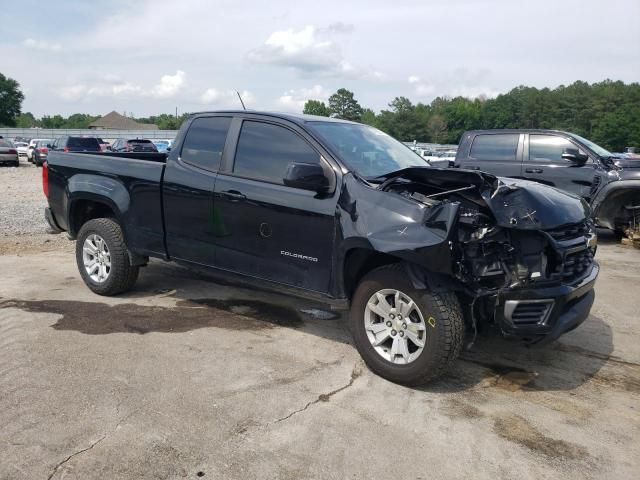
(269, 230)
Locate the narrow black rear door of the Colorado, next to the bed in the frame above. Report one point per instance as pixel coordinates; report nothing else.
(191, 225)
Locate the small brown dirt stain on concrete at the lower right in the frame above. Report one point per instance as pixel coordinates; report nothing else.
(518, 430)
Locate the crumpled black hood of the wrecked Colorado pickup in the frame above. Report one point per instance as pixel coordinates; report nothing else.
(515, 203)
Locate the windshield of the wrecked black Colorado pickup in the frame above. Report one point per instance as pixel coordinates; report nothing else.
(367, 150)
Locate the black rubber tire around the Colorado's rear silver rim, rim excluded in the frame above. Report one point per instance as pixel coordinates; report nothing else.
(121, 274)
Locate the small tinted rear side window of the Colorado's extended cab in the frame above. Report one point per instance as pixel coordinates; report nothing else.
(204, 142)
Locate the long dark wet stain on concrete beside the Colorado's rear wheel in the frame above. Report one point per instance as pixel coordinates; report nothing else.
(95, 318)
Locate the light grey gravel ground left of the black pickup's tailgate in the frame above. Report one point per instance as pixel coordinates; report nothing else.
(23, 228)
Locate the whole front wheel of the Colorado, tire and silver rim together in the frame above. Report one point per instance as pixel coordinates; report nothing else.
(405, 335)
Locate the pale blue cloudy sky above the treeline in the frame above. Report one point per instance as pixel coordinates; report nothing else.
(148, 57)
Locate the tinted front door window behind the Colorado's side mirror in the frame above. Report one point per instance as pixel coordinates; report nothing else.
(265, 151)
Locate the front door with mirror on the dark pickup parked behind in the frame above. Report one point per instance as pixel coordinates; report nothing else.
(544, 164)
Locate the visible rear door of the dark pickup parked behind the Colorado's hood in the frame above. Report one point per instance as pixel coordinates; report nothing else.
(497, 153)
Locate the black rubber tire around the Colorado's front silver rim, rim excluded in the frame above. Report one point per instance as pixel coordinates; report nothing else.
(443, 333)
